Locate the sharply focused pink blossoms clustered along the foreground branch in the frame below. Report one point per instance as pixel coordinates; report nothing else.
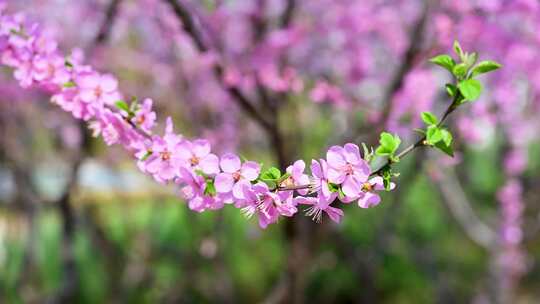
(205, 180)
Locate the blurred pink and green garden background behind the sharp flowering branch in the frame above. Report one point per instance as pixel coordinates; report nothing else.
(80, 224)
